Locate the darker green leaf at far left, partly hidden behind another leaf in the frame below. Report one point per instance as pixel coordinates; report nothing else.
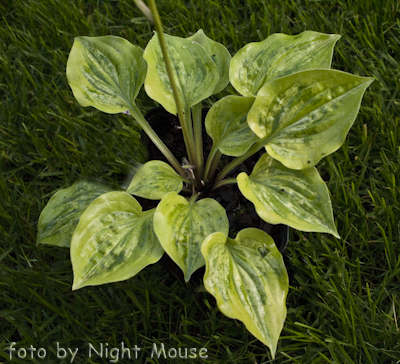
(60, 217)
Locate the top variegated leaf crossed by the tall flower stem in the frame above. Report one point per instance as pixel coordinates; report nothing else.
(194, 72)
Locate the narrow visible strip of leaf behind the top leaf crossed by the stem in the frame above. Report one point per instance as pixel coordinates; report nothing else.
(219, 54)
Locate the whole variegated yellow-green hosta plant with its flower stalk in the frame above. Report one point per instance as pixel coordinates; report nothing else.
(289, 103)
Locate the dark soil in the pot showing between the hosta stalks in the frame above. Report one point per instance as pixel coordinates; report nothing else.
(240, 211)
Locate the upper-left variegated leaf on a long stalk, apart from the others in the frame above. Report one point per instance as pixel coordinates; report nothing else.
(105, 72)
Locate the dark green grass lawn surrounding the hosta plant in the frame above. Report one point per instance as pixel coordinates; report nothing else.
(343, 303)
